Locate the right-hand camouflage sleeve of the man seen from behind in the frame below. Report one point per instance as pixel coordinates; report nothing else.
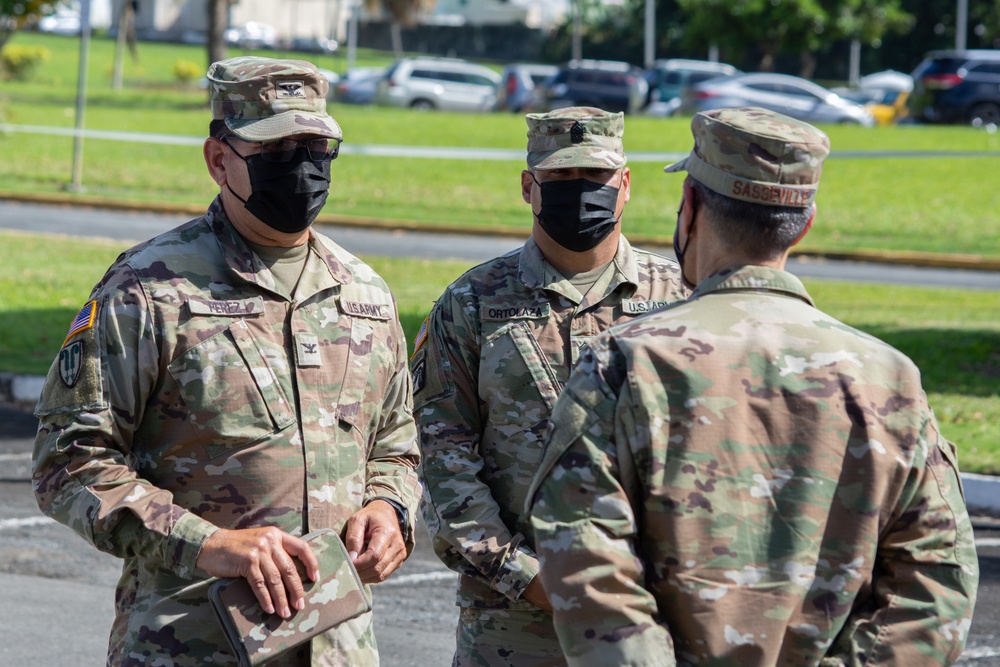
(927, 572)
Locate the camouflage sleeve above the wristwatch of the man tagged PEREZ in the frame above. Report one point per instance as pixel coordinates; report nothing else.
(393, 458)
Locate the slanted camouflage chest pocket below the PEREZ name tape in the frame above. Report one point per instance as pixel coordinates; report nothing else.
(231, 393)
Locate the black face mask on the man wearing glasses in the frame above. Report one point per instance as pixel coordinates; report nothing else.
(286, 196)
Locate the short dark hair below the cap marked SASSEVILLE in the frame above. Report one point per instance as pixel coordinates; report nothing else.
(759, 231)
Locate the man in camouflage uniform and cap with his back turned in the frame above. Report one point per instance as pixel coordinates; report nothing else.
(740, 479)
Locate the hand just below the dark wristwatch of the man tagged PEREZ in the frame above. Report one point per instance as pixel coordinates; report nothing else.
(374, 542)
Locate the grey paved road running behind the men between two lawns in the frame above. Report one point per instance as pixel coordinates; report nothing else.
(141, 226)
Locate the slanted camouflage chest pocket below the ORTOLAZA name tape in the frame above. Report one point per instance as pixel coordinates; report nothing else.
(516, 379)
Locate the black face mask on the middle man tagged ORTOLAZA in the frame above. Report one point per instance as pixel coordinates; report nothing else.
(577, 214)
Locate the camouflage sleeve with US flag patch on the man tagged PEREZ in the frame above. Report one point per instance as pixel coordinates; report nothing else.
(84, 473)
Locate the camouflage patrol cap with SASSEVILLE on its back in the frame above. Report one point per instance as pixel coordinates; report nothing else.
(756, 155)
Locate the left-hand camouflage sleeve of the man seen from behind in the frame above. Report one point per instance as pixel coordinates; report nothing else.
(583, 513)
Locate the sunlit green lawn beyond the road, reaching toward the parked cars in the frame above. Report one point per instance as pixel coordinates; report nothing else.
(939, 205)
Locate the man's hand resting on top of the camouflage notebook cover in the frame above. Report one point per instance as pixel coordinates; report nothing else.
(262, 556)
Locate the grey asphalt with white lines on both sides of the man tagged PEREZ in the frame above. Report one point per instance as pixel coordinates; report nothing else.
(57, 592)
